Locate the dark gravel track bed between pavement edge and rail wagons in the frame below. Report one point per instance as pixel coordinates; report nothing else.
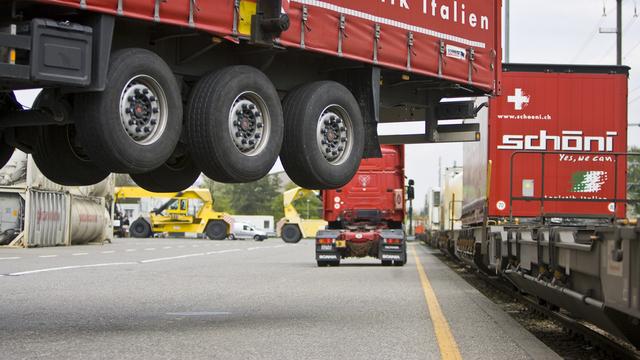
(549, 331)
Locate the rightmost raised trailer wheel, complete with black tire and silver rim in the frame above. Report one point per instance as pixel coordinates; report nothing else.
(324, 135)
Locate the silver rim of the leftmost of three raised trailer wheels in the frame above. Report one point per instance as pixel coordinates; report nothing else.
(143, 110)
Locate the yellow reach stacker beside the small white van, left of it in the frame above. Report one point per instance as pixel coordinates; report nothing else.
(175, 216)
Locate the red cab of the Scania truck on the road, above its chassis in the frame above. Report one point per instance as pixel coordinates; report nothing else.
(378, 185)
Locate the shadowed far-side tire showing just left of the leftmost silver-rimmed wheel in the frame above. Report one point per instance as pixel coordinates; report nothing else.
(62, 159)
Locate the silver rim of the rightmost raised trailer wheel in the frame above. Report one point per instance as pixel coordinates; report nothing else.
(334, 134)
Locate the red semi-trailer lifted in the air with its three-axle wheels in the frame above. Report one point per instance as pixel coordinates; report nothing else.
(164, 90)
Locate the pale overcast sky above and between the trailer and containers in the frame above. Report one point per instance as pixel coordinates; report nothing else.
(543, 31)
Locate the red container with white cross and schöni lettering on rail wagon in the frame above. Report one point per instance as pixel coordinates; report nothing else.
(578, 116)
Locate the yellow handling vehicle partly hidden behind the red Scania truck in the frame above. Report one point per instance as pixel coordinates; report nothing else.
(292, 227)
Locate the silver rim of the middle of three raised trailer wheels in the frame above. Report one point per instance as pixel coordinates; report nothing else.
(249, 123)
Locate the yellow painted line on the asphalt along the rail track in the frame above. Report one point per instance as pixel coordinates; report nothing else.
(446, 342)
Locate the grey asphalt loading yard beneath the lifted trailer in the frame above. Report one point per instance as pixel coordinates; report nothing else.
(169, 299)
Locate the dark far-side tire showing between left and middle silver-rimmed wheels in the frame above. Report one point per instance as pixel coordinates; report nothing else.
(176, 174)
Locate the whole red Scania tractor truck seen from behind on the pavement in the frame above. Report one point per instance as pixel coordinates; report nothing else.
(366, 216)
